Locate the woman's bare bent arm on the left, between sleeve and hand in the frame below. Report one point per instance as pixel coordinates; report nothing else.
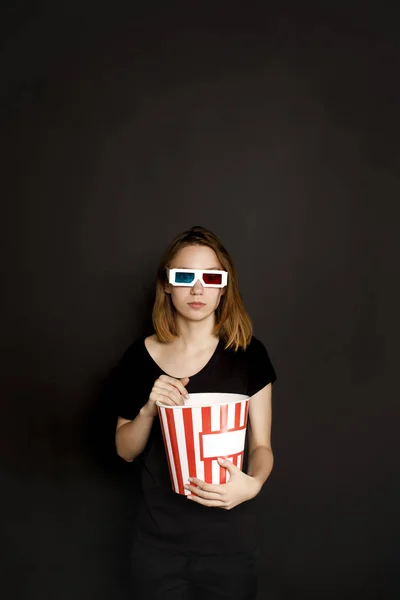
(131, 436)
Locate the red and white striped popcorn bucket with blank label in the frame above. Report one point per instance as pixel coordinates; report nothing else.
(207, 427)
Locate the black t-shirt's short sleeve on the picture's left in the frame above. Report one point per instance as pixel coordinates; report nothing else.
(125, 391)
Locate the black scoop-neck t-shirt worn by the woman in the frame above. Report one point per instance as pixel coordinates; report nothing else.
(168, 519)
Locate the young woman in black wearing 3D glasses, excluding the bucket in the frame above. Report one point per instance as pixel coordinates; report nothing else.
(203, 545)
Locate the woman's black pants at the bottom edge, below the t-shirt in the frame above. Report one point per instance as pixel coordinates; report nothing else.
(168, 575)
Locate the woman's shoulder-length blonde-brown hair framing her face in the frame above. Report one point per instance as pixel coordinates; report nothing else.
(232, 322)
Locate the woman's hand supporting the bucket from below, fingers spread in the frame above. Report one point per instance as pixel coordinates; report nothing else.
(240, 488)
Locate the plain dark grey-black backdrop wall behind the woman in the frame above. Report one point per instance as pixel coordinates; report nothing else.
(278, 129)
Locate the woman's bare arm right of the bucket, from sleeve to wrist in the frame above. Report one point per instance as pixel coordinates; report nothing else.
(261, 459)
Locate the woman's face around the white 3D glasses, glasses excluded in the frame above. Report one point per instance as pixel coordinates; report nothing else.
(197, 302)
